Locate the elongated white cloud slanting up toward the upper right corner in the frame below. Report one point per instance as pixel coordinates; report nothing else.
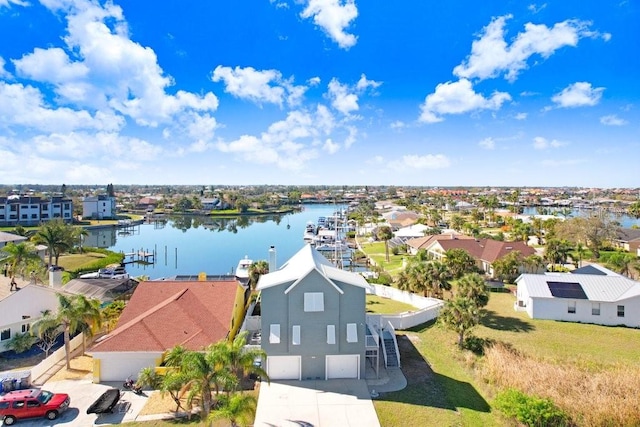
(491, 55)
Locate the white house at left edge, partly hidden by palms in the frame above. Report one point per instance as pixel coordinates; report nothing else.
(20, 309)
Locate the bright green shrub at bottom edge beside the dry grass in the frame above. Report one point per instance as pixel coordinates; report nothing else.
(530, 410)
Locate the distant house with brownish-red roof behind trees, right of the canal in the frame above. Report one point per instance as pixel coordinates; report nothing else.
(484, 251)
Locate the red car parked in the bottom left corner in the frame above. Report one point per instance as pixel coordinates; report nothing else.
(32, 403)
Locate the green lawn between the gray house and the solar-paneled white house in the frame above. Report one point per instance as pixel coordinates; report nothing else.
(453, 393)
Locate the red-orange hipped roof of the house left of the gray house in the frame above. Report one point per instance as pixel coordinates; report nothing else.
(163, 314)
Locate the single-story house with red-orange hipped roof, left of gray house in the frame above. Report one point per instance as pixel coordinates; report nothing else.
(163, 314)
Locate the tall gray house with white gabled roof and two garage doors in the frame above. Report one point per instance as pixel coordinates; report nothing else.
(313, 319)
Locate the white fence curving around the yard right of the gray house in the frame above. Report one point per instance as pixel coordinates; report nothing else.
(428, 308)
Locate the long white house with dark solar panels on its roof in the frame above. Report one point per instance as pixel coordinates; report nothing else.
(604, 299)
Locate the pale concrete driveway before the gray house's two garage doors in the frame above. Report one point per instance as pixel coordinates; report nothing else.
(315, 403)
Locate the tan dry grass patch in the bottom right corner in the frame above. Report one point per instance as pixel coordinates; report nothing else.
(592, 396)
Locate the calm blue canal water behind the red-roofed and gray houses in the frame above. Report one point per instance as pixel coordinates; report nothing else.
(189, 245)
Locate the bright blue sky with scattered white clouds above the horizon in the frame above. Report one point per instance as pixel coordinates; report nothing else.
(403, 92)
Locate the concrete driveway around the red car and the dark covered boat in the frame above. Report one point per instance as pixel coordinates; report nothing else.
(83, 393)
